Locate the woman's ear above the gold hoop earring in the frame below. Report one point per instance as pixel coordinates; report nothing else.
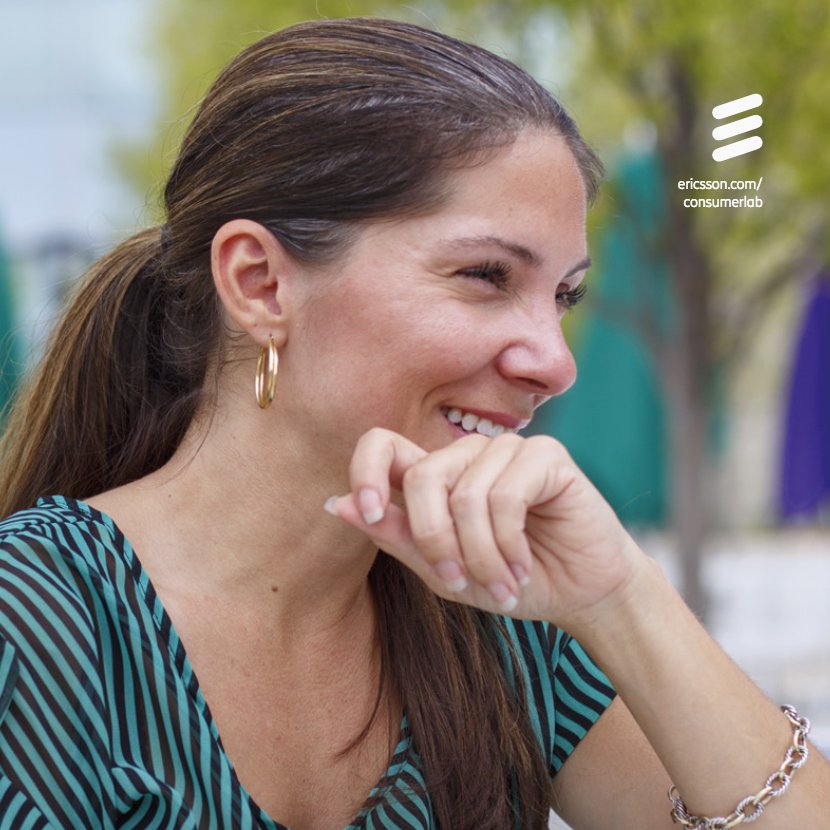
(252, 271)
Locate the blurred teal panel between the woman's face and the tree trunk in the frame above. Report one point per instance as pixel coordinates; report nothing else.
(612, 421)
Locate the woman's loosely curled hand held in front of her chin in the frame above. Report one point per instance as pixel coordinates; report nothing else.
(506, 524)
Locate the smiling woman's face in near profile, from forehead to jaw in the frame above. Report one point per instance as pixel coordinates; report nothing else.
(450, 314)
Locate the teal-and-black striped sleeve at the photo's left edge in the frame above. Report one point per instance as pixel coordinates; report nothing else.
(54, 769)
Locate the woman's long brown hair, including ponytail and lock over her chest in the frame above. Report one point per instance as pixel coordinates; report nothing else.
(310, 131)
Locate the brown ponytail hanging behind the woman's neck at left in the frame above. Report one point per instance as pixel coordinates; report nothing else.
(119, 382)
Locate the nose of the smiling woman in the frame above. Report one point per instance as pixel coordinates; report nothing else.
(539, 358)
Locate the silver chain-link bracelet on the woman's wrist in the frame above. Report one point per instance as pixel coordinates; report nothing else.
(752, 807)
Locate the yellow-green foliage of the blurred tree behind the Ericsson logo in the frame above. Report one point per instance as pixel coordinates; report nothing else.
(671, 63)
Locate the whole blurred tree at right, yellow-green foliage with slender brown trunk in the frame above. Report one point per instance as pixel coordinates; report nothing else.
(669, 64)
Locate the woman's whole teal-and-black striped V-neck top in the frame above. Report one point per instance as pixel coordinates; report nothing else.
(103, 724)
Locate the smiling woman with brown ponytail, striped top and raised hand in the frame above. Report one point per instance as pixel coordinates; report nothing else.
(382, 228)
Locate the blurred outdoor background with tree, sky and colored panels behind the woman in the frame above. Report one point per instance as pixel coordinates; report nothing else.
(703, 405)
